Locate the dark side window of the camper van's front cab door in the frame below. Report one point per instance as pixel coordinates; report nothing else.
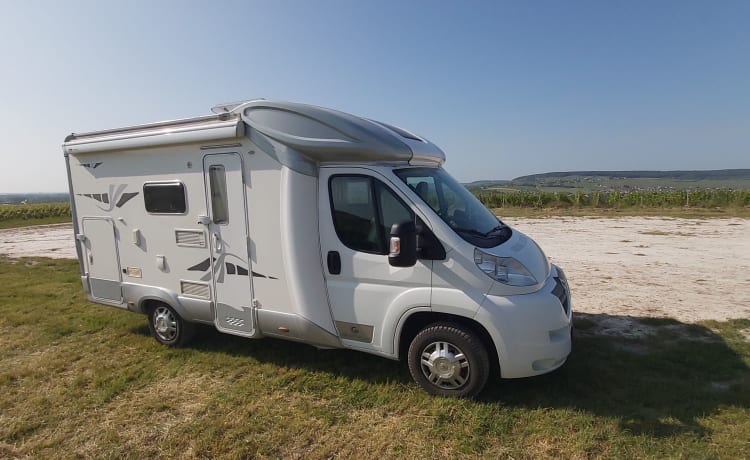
(364, 209)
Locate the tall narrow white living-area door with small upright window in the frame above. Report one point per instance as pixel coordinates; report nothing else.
(228, 234)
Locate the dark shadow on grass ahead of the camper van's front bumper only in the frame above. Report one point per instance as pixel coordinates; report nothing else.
(657, 376)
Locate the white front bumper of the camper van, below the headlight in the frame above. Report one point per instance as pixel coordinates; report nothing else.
(532, 332)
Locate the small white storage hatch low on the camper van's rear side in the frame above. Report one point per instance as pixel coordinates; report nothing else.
(102, 261)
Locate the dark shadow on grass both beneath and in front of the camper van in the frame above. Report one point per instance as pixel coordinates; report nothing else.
(656, 376)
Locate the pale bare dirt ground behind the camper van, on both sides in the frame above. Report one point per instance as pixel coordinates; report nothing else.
(686, 269)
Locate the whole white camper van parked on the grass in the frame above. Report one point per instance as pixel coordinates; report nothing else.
(292, 221)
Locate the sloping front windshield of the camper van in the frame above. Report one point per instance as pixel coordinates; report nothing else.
(450, 200)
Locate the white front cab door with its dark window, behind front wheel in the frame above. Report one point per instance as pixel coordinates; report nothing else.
(357, 211)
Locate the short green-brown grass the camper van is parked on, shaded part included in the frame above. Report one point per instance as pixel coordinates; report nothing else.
(83, 380)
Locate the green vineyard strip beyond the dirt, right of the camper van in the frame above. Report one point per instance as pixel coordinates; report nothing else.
(615, 200)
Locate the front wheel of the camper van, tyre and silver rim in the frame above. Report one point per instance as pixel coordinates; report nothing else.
(448, 359)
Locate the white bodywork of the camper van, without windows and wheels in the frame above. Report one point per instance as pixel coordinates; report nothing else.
(278, 159)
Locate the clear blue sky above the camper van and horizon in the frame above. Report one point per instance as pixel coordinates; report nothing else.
(505, 88)
